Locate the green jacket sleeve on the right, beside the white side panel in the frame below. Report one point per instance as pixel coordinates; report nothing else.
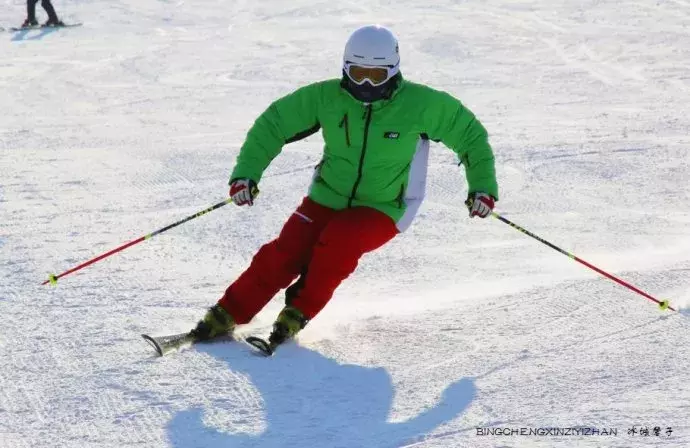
(458, 128)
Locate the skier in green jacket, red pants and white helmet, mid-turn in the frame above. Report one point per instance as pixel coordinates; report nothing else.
(367, 188)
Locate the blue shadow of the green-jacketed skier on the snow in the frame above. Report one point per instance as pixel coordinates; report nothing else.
(308, 398)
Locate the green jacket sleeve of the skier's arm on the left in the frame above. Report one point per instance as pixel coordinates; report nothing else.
(288, 119)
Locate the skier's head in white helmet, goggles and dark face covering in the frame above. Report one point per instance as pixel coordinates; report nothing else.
(371, 62)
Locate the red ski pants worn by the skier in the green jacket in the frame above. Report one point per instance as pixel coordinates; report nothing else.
(325, 242)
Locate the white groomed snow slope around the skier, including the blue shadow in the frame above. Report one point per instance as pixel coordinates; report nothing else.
(113, 130)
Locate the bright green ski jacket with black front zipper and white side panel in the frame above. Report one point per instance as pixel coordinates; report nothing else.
(375, 155)
